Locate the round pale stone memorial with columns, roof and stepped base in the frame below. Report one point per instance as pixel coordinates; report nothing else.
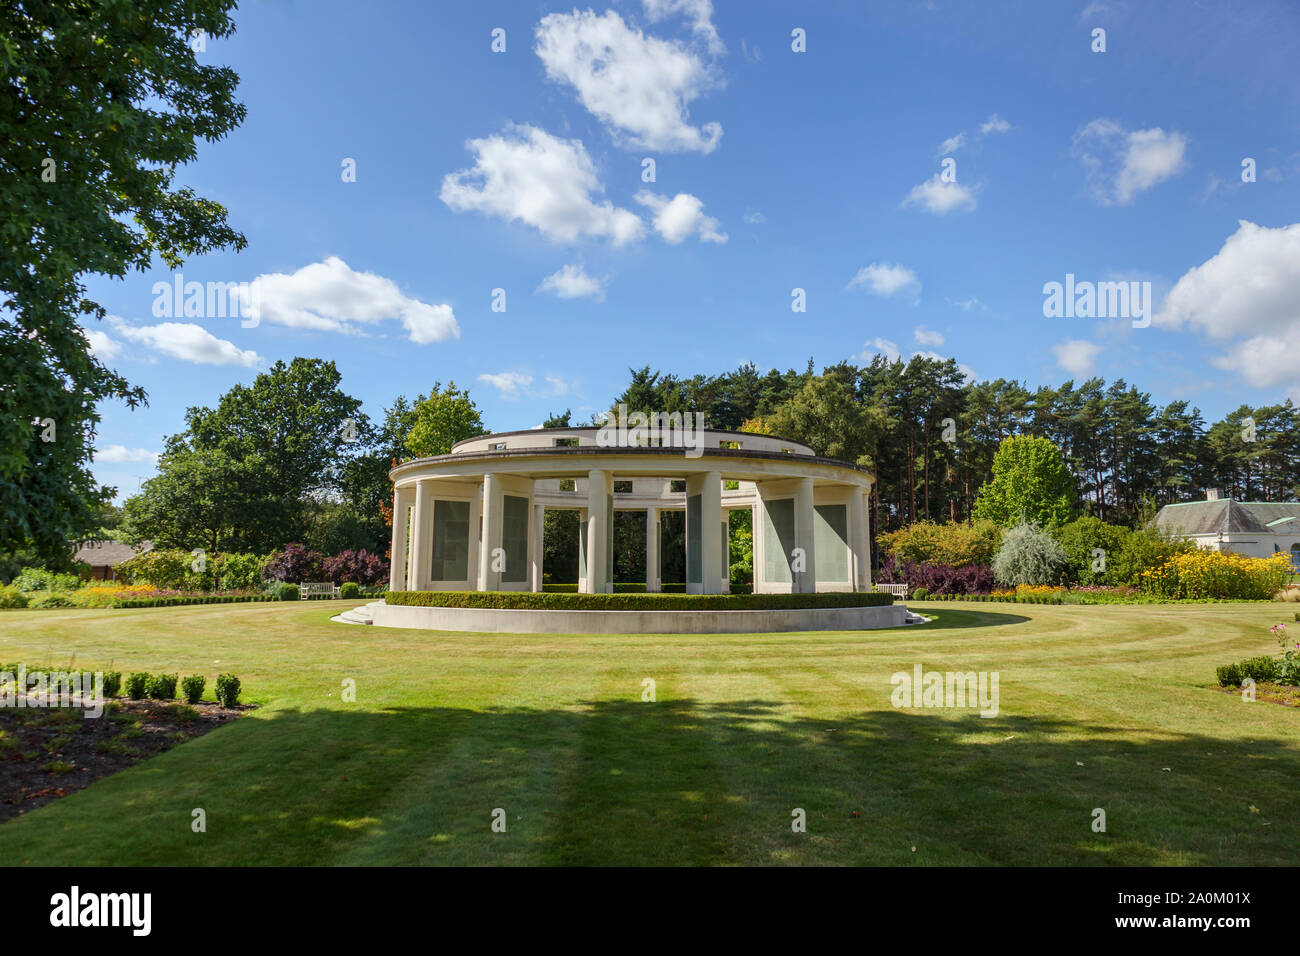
(473, 521)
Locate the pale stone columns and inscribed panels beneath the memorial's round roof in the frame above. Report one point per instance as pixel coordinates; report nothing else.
(486, 534)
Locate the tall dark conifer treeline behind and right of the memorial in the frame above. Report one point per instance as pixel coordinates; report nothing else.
(930, 435)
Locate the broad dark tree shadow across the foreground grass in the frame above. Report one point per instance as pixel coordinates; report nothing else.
(623, 782)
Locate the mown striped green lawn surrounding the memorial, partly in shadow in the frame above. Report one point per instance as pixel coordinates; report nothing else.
(1102, 707)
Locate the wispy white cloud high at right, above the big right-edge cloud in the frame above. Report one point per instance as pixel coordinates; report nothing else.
(1123, 163)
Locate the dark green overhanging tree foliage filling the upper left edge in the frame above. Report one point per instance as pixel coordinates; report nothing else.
(101, 103)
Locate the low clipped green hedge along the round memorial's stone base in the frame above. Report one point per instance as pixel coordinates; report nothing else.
(556, 602)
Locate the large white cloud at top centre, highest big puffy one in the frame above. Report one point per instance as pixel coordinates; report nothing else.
(639, 86)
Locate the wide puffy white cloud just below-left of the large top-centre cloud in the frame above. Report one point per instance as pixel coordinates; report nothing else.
(527, 175)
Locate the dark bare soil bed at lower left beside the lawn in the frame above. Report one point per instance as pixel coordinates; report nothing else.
(49, 754)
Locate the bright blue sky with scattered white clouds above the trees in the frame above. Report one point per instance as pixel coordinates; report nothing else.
(774, 171)
